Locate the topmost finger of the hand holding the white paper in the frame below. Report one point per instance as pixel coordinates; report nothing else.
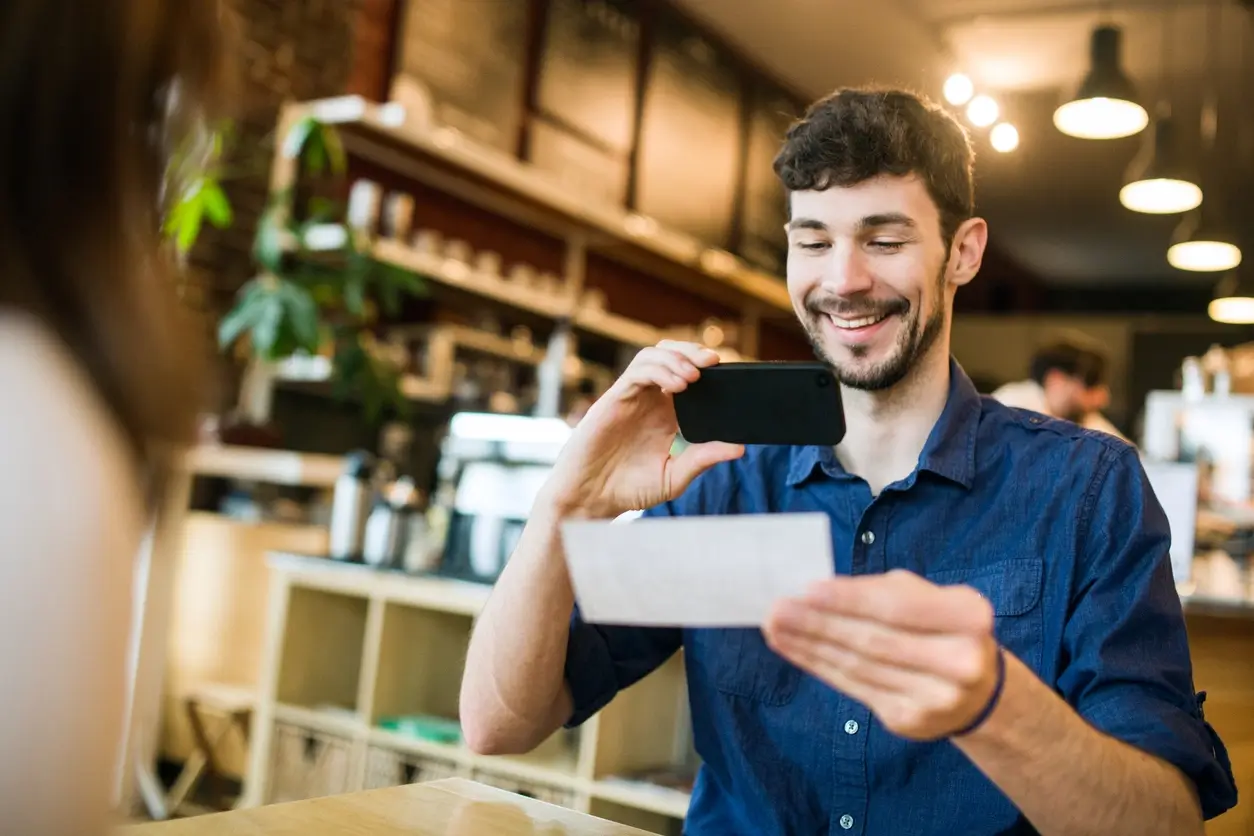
(905, 600)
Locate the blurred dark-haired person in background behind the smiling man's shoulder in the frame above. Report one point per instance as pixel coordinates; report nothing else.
(1068, 382)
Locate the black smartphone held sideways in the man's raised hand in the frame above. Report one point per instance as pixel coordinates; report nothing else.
(763, 403)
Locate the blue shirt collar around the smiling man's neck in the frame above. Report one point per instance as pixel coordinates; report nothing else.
(950, 451)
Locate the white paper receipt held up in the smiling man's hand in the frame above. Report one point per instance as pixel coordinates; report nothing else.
(695, 571)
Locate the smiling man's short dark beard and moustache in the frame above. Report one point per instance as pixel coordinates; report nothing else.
(914, 342)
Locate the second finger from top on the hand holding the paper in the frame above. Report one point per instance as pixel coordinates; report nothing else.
(957, 657)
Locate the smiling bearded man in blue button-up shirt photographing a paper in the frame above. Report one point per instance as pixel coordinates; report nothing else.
(1001, 650)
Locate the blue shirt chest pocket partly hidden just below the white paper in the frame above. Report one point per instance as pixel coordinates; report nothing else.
(739, 664)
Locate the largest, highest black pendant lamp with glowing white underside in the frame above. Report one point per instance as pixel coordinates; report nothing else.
(1105, 107)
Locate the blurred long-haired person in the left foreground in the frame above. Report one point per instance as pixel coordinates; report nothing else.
(98, 379)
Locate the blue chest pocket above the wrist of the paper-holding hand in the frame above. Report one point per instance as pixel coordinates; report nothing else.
(1014, 588)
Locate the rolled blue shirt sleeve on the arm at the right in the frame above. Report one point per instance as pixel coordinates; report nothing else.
(1129, 671)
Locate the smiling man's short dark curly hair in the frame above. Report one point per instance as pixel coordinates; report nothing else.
(856, 135)
